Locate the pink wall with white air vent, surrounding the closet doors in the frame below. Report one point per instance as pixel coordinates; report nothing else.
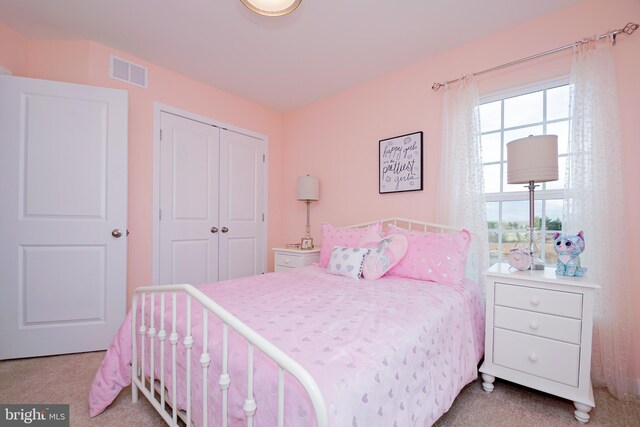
(87, 62)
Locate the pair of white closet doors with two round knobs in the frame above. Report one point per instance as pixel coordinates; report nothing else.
(211, 202)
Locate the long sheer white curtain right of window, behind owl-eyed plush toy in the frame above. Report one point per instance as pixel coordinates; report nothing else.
(594, 202)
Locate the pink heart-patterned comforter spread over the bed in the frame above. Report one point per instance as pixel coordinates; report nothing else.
(392, 352)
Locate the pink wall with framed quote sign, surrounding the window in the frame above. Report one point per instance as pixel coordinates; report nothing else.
(336, 138)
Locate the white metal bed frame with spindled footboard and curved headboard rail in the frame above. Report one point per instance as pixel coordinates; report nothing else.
(152, 388)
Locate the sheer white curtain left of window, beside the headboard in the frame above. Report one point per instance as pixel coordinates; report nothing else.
(461, 198)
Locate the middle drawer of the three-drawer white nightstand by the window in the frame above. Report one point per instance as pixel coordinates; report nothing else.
(542, 325)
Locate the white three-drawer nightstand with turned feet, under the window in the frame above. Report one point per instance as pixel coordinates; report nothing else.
(538, 333)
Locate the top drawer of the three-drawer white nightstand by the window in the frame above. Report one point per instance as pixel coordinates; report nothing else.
(560, 303)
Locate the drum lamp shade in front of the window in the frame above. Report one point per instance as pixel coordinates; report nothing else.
(534, 158)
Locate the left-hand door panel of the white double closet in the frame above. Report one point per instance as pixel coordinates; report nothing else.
(189, 170)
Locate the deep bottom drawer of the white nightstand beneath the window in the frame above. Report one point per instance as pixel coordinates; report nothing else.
(550, 359)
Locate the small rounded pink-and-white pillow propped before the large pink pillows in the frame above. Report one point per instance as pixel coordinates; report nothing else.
(384, 255)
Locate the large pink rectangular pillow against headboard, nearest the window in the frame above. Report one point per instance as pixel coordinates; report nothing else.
(436, 257)
